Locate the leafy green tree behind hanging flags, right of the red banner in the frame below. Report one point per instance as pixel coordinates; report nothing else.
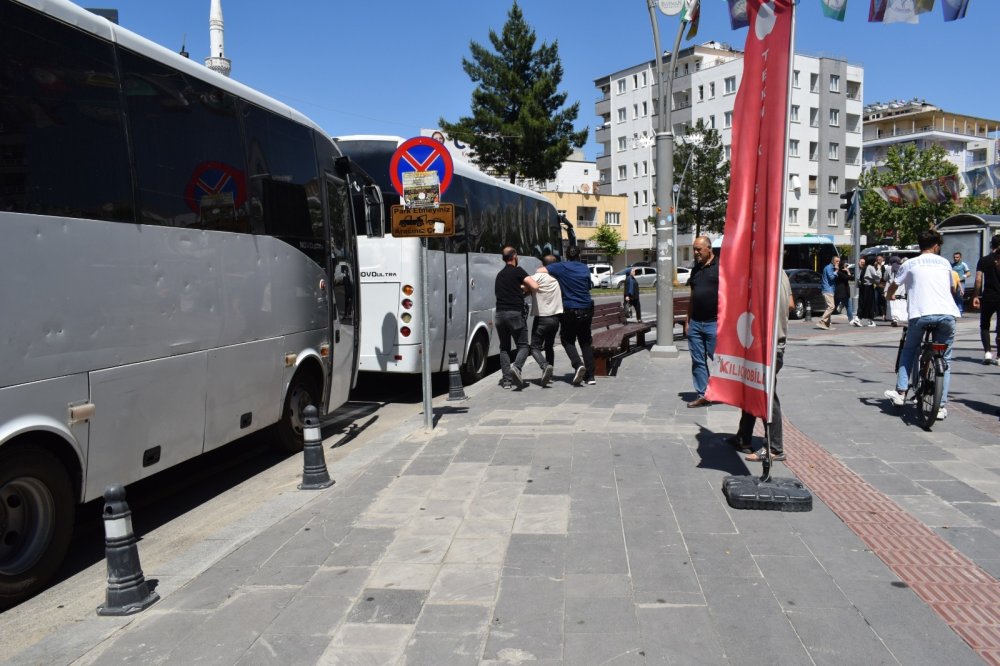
(905, 164)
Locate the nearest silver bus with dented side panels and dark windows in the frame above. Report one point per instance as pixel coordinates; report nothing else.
(178, 268)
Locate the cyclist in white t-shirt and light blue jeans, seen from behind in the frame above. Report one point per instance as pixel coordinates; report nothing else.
(930, 302)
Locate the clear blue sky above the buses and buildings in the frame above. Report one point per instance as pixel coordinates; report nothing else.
(394, 66)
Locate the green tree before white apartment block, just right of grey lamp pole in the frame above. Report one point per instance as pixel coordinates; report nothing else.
(704, 192)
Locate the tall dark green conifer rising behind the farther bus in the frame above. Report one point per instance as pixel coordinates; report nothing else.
(517, 128)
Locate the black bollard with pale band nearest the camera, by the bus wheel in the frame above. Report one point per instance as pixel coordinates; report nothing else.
(128, 591)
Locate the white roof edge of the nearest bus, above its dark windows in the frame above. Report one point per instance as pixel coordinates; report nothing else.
(76, 16)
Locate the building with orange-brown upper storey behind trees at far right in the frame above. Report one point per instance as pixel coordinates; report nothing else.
(969, 142)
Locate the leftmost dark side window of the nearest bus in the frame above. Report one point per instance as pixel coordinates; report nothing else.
(62, 128)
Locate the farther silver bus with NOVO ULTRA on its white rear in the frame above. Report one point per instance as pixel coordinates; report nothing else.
(489, 213)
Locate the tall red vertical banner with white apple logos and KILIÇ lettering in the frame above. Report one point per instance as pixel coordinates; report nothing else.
(752, 242)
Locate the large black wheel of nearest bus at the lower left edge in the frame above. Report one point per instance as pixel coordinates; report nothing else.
(36, 520)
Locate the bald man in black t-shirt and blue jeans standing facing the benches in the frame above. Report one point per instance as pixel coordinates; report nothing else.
(703, 314)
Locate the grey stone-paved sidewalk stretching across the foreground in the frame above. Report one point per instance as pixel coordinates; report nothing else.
(586, 525)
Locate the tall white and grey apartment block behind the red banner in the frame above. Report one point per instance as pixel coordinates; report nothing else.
(825, 137)
